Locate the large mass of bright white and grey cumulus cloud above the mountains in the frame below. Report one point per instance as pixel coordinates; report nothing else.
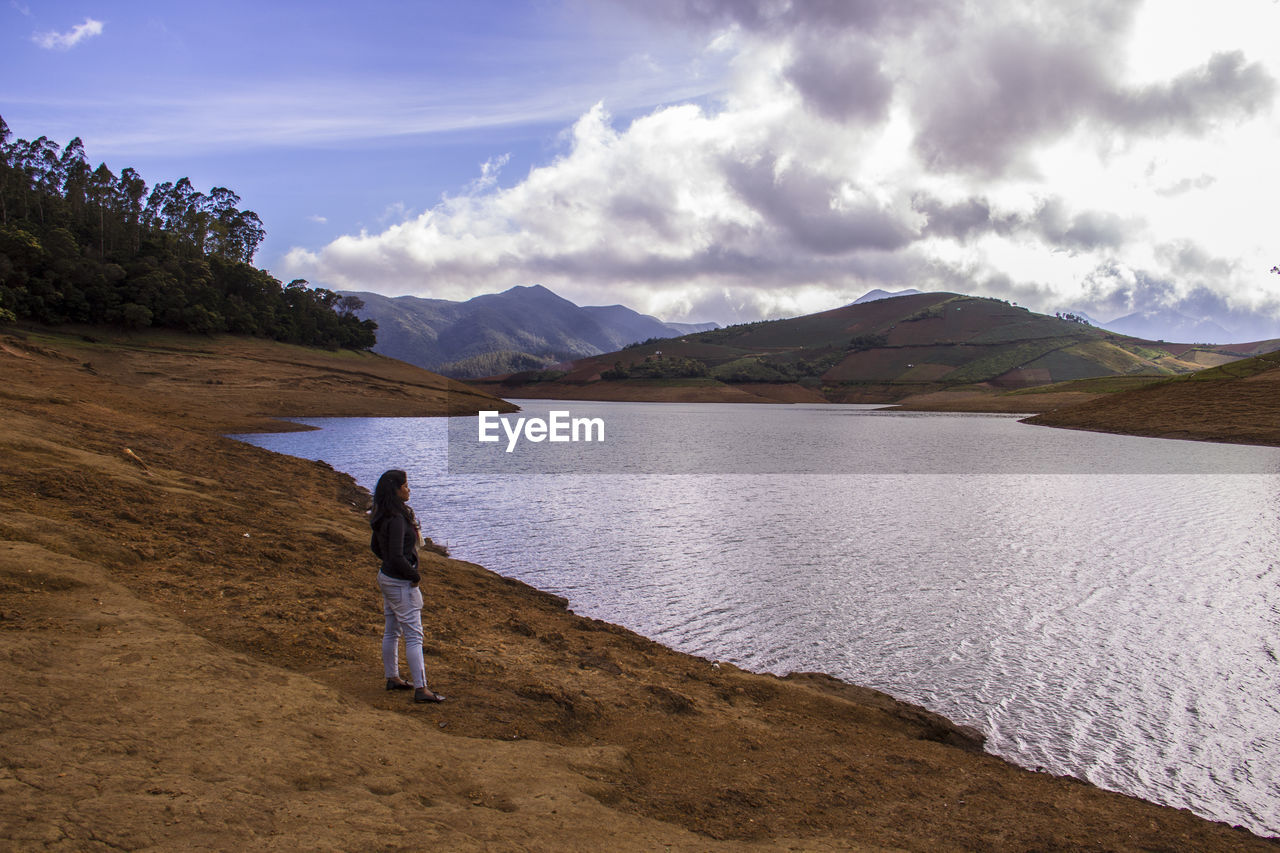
(860, 144)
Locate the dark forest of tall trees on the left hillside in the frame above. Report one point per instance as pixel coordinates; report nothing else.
(86, 245)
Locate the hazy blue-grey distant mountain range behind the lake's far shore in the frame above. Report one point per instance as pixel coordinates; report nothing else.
(524, 329)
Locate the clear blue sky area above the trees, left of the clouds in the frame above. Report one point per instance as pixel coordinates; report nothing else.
(314, 111)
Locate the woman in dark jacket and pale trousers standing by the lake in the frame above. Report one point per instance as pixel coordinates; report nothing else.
(396, 536)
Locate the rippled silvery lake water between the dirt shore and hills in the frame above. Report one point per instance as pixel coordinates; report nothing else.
(1101, 606)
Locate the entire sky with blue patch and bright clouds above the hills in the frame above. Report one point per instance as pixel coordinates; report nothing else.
(702, 161)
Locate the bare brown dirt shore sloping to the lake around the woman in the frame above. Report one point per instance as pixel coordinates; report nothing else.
(190, 650)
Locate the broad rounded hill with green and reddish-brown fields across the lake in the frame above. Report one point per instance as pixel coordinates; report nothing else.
(886, 350)
